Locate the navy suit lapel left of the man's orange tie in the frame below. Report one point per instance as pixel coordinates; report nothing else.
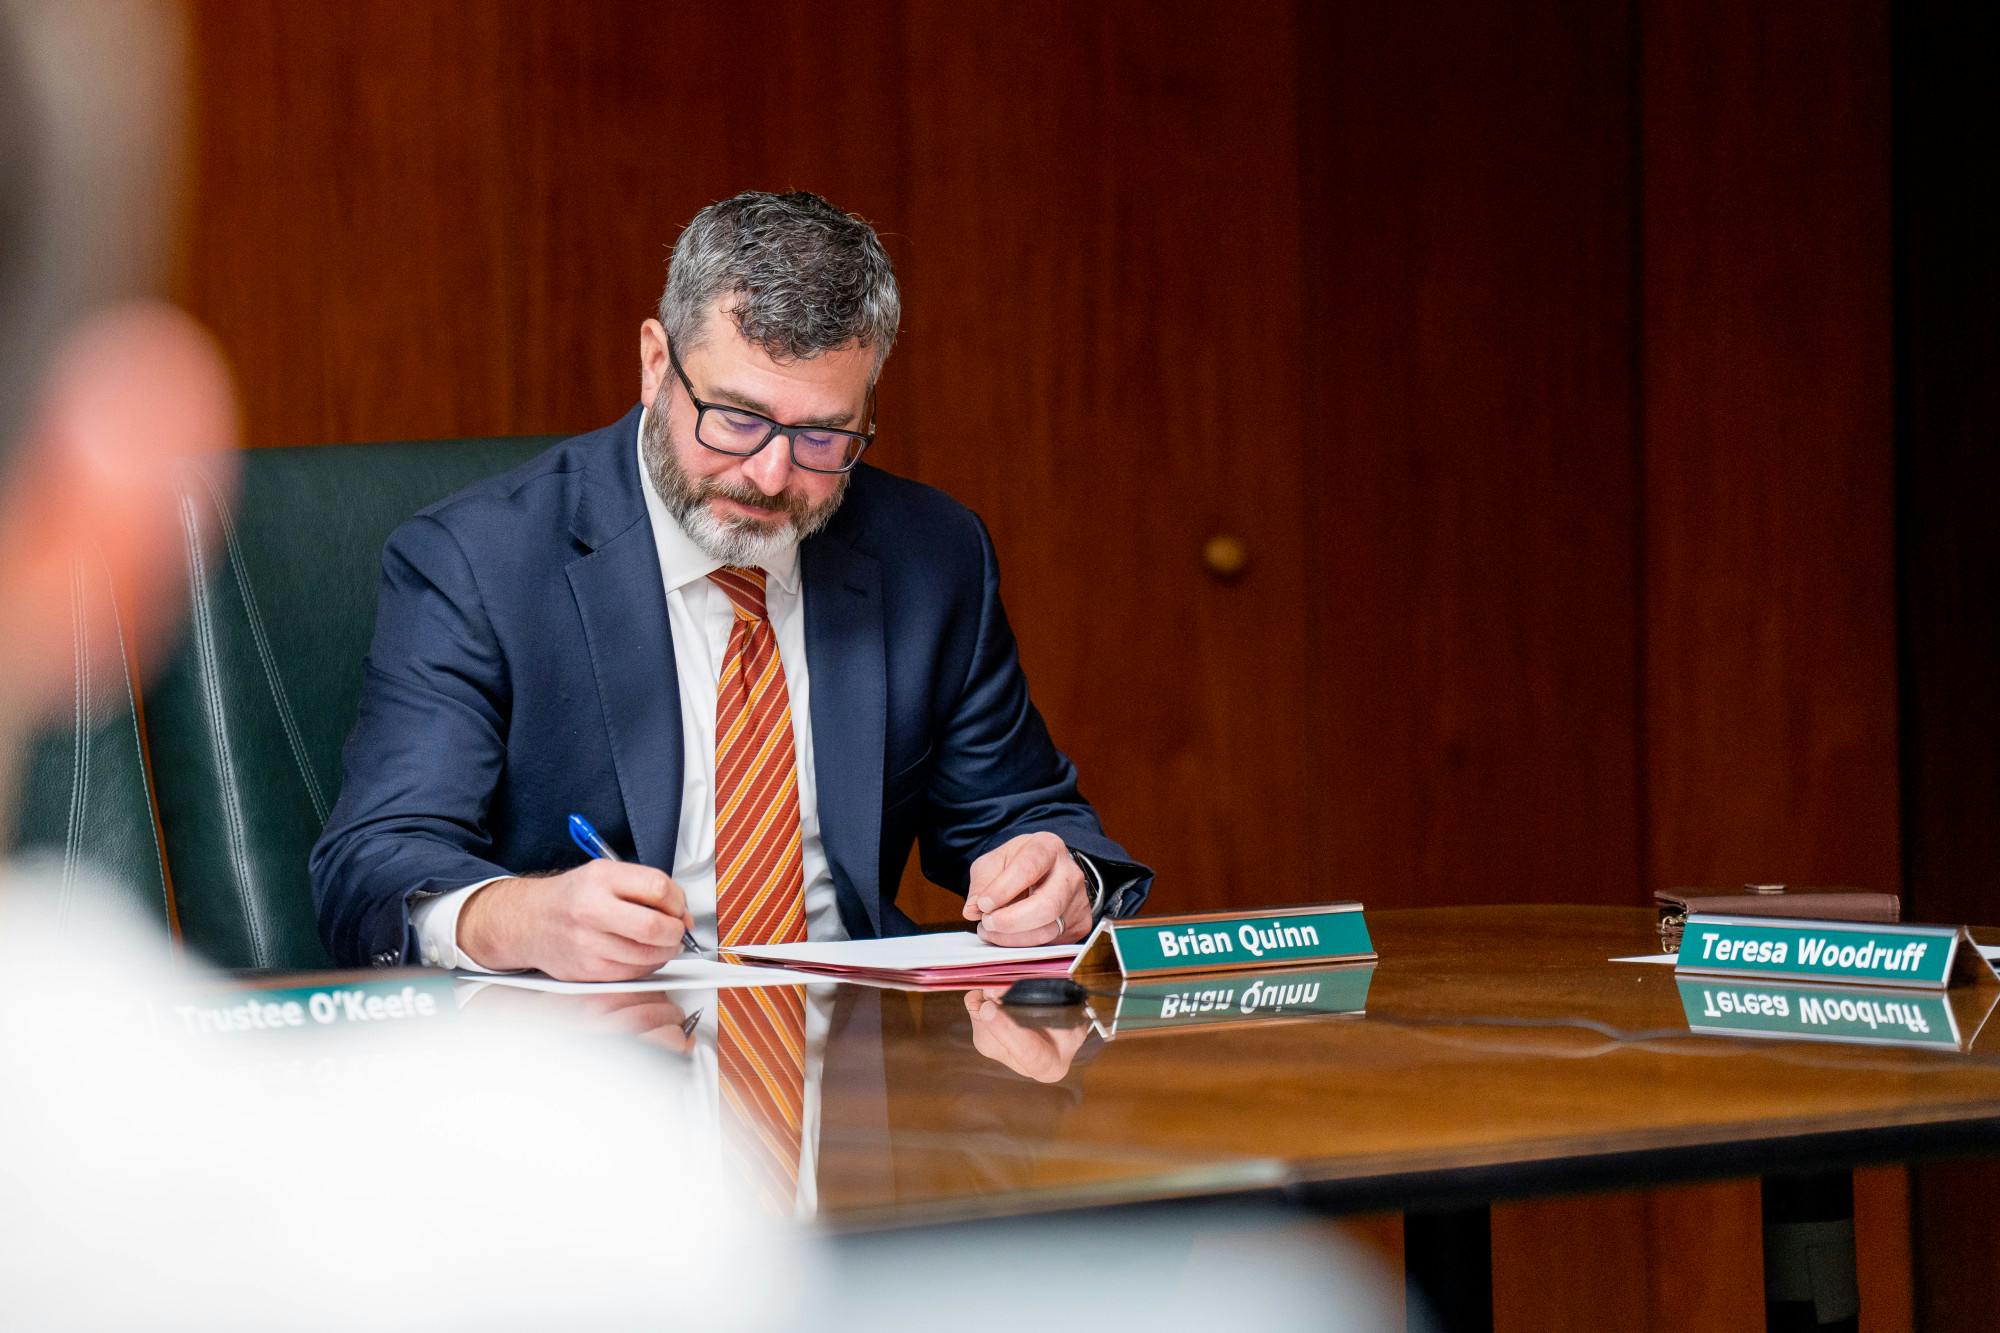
(631, 645)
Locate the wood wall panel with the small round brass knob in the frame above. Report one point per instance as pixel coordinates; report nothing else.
(1105, 325)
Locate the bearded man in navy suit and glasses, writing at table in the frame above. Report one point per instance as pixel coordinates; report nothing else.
(551, 641)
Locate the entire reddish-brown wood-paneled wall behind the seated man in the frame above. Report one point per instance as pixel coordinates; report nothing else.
(1539, 355)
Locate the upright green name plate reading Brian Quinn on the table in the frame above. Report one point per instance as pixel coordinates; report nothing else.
(1227, 942)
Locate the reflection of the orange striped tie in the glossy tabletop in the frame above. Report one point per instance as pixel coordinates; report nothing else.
(763, 1060)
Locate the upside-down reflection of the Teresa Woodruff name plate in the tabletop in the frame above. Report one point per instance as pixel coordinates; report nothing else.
(1821, 1014)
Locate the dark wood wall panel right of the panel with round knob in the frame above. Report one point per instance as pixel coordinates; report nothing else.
(1473, 481)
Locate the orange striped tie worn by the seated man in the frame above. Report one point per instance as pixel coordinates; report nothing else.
(761, 886)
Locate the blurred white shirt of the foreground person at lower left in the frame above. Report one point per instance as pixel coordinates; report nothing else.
(159, 1184)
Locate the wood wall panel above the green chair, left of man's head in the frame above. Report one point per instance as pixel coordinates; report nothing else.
(421, 219)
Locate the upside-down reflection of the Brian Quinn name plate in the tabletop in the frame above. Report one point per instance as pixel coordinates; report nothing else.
(1235, 1000)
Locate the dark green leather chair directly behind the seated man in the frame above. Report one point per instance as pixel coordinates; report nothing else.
(249, 716)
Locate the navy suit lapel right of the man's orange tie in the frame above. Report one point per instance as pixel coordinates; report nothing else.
(849, 710)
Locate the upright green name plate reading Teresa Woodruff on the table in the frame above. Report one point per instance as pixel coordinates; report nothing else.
(1843, 952)
